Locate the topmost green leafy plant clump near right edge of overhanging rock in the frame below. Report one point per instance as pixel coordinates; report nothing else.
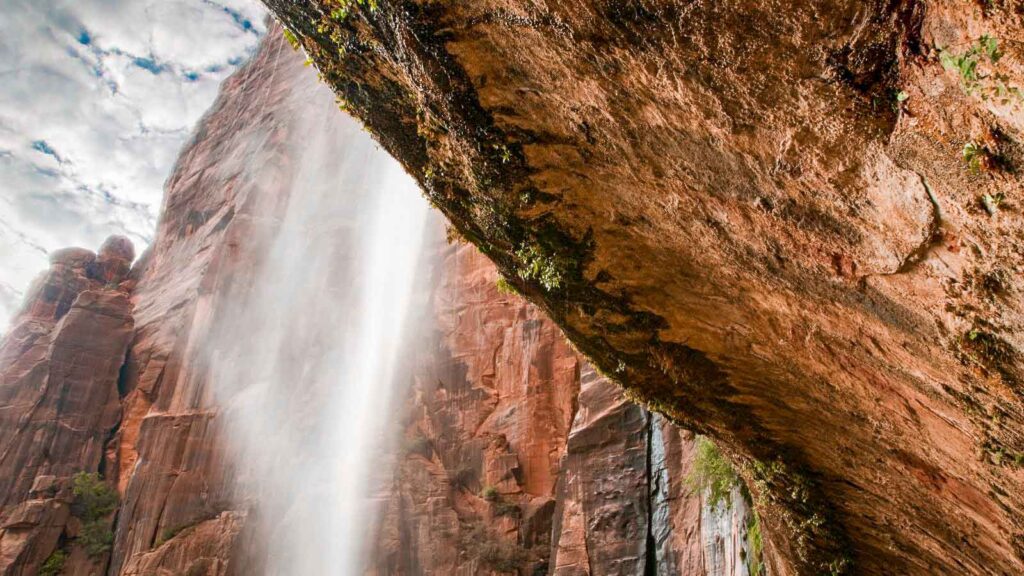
(968, 65)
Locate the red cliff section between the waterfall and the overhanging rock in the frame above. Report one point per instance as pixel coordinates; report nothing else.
(519, 458)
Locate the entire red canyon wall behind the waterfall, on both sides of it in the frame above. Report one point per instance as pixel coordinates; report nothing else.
(516, 456)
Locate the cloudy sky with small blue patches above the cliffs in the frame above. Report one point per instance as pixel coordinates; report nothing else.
(97, 100)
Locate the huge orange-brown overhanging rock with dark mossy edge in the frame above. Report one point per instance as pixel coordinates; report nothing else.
(792, 226)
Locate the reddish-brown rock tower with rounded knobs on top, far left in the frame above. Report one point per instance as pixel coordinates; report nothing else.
(59, 400)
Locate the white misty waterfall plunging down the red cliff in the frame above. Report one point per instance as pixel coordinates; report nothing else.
(306, 362)
